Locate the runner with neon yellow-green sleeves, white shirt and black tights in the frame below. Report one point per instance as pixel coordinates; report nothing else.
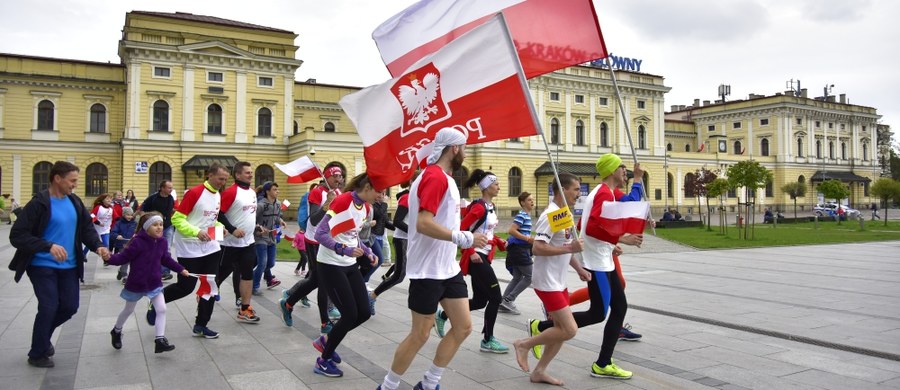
(197, 251)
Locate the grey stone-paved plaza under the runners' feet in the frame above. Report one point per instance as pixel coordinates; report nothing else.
(809, 317)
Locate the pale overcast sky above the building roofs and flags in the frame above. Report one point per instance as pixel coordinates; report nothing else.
(756, 46)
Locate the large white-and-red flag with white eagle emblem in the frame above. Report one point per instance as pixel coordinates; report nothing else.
(472, 84)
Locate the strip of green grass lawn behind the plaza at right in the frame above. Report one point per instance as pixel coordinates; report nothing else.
(785, 234)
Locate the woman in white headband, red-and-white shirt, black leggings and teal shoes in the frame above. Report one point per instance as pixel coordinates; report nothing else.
(476, 261)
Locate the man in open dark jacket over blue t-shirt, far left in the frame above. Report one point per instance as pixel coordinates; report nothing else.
(48, 236)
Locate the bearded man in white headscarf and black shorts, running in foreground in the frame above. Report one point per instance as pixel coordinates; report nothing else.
(434, 275)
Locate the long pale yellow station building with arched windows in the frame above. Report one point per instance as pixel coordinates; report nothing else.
(193, 89)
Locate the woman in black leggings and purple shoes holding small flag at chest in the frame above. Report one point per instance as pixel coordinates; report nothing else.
(339, 275)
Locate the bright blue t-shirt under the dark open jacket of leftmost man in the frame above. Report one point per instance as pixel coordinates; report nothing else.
(60, 231)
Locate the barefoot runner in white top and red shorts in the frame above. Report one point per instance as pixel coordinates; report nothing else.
(552, 257)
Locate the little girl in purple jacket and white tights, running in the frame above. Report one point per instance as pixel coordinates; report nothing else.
(146, 252)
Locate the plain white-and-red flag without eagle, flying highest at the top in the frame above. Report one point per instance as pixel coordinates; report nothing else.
(548, 34)
